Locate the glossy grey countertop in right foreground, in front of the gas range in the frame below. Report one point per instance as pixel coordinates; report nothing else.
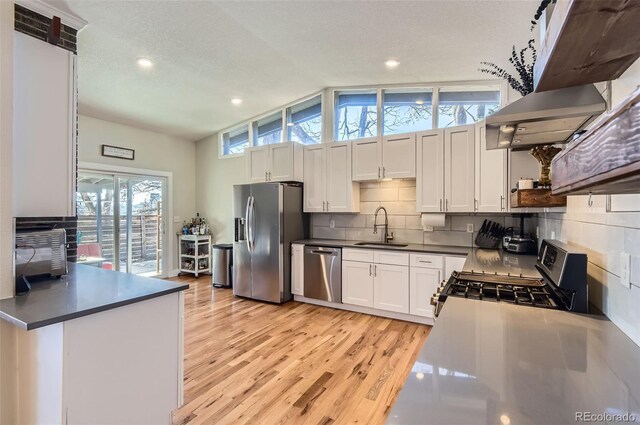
(498, 363)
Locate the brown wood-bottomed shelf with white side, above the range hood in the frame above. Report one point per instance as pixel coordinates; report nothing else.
(587, 41)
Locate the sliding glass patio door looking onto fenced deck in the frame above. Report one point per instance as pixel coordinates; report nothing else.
(121, 221)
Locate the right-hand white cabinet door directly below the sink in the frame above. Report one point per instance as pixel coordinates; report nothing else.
(391, 287)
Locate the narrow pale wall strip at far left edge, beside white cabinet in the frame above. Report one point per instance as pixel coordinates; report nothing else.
(8, 363)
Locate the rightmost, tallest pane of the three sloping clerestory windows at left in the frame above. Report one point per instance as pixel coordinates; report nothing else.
(304, 121)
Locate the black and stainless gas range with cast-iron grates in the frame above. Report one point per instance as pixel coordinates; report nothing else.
(562, 285)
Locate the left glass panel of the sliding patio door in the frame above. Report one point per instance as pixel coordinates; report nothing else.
(95, 205)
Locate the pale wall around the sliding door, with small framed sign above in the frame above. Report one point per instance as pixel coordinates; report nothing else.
(153, 151)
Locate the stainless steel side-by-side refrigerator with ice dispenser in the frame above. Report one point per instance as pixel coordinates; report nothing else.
(267, 218)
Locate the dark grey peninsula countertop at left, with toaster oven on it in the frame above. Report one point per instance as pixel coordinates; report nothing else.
(85, 290)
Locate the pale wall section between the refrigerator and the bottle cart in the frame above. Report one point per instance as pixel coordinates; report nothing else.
(216, 178)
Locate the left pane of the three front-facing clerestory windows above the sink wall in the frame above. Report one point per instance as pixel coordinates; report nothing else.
(356, 115)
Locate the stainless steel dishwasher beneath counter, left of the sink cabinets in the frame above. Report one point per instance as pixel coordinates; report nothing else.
(323, 273)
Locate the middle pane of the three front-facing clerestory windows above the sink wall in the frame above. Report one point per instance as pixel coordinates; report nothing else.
(406, 111)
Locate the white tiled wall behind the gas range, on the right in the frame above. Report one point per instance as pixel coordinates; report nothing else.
(604, 236)
